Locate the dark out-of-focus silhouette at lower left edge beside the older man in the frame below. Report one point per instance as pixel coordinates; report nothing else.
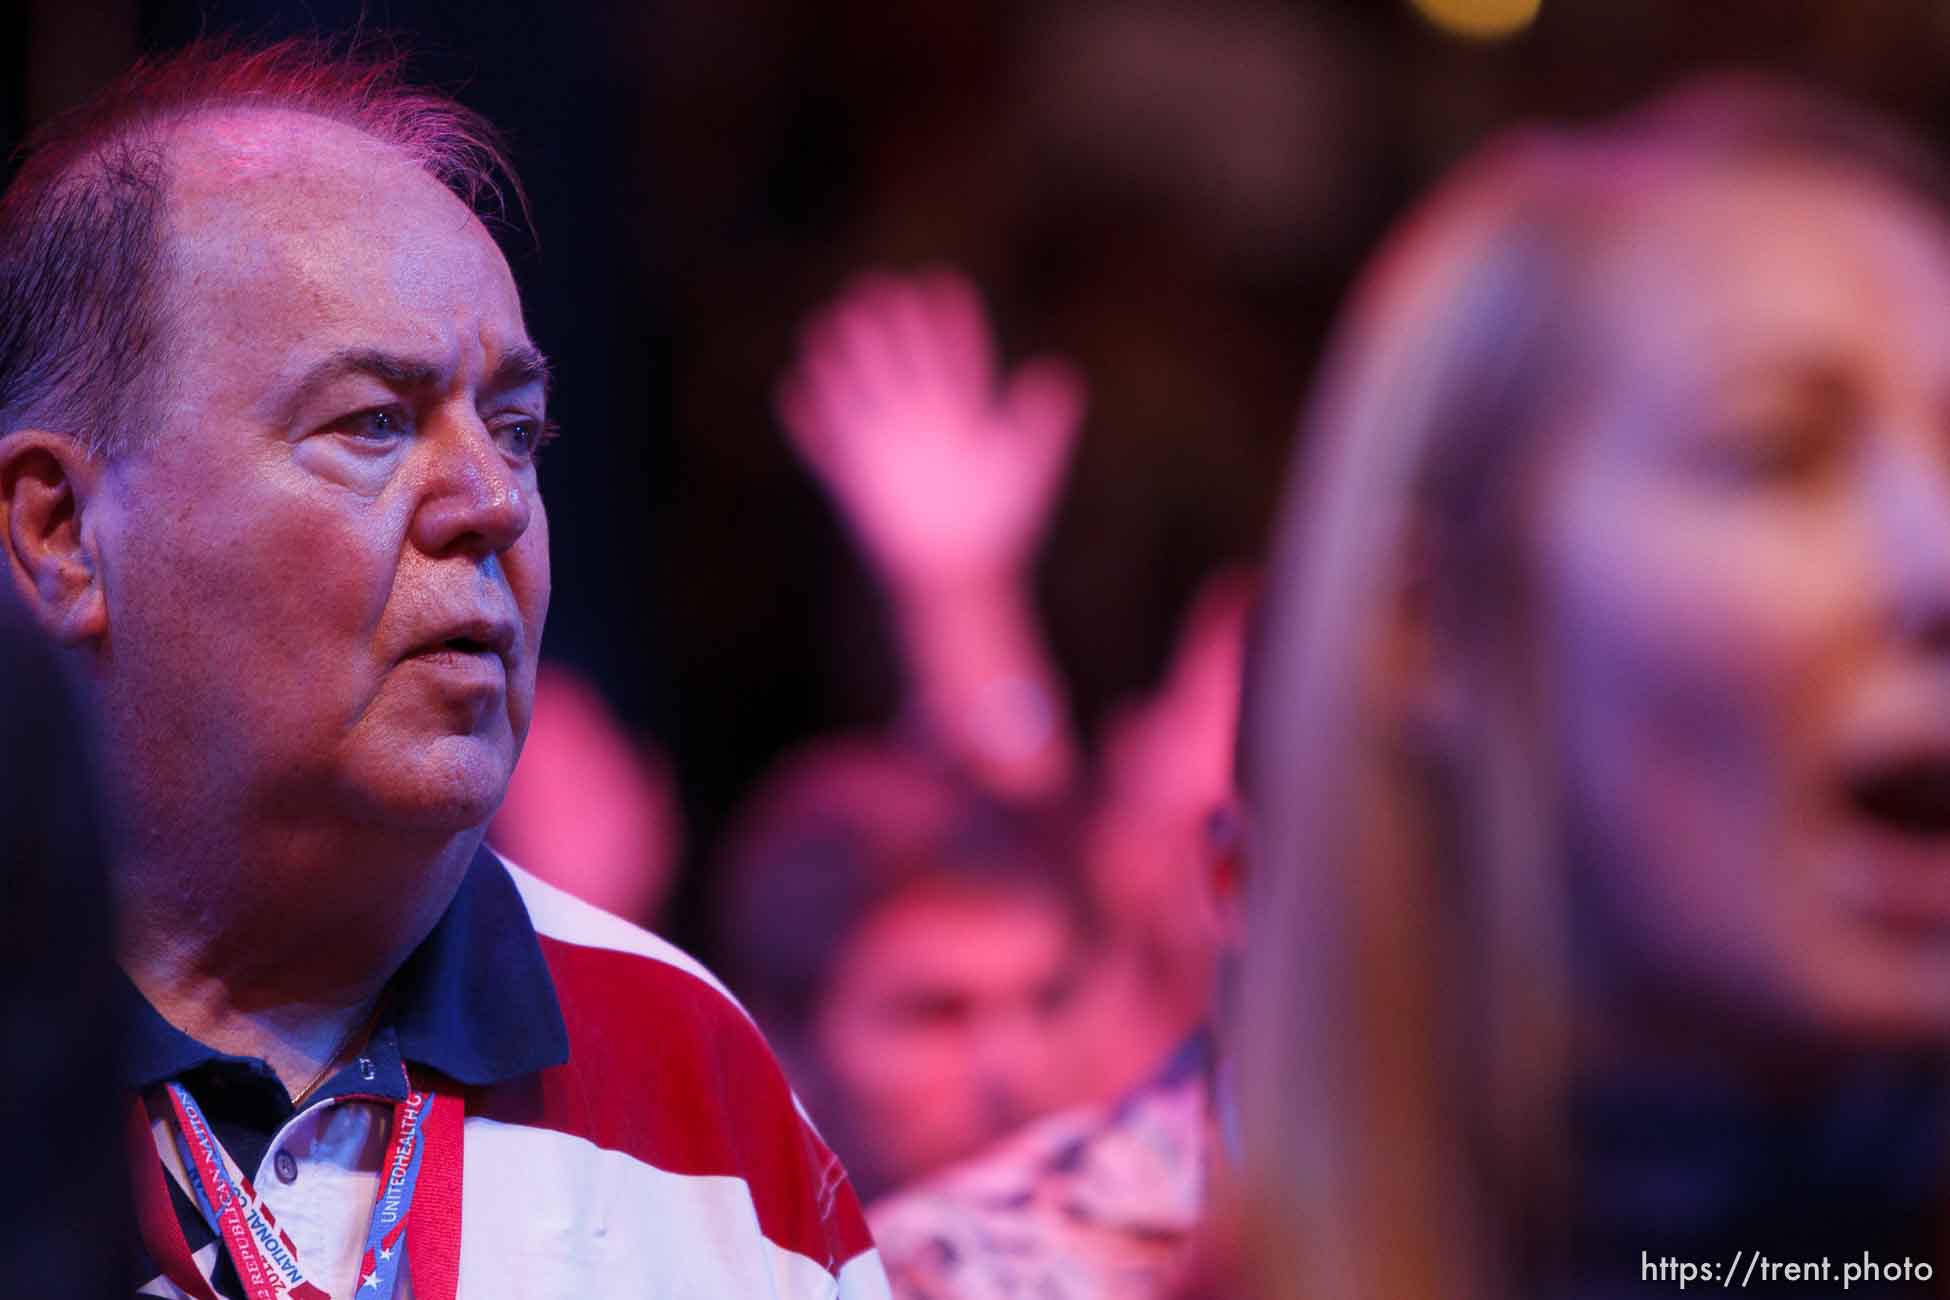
(59, 1011)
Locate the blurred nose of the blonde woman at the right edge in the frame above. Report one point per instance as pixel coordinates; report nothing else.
(1912, 512)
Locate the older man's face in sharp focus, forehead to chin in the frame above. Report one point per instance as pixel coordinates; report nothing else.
(329, 570)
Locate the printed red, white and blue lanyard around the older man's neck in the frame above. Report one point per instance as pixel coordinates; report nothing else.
(264, 1256)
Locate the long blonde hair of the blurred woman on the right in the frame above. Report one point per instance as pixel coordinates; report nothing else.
(1405, 1024)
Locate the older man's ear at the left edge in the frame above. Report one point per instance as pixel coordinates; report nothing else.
(46, 484)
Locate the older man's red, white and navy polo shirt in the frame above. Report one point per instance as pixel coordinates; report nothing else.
(627, 1131)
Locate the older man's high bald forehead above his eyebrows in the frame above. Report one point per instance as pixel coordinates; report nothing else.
(286, 233)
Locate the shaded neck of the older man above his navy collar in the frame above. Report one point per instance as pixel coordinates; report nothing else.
(278, 946)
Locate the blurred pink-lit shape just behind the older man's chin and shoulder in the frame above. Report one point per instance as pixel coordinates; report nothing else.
(590, 808)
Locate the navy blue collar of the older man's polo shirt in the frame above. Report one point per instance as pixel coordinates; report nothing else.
(475, 1001)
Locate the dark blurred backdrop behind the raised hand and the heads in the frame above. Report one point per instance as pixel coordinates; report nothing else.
(1171, 194)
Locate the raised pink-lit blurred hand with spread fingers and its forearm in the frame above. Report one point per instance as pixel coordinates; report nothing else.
(947, 473)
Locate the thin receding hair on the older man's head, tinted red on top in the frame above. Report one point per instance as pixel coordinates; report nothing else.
(85, 305)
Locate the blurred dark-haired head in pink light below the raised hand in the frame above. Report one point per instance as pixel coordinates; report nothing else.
(912, 946)
